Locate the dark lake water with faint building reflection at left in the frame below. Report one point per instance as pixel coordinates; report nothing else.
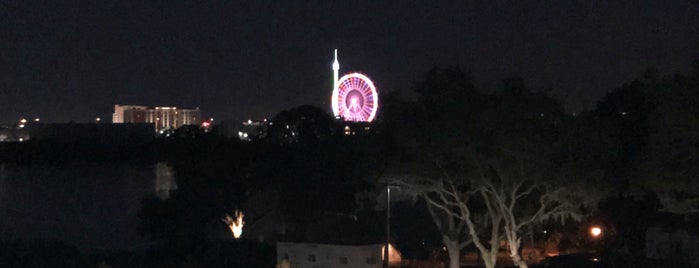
(92, 206)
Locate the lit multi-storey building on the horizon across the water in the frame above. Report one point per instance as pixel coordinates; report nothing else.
(163, 118)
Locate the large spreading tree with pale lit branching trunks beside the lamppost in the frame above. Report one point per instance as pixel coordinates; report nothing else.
(505, 170)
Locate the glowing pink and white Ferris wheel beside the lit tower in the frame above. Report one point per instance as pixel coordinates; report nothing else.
(355, 98)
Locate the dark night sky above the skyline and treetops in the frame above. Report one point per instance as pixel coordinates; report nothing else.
(73, 60)
